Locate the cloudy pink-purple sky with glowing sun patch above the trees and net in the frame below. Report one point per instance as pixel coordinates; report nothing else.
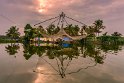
(20, 12)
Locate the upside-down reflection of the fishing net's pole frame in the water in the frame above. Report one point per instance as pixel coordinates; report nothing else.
(62, 66)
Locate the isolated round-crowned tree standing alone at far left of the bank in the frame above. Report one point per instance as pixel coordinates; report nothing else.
(13, 33)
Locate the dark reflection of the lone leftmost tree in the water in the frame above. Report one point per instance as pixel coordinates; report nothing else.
(12, 49)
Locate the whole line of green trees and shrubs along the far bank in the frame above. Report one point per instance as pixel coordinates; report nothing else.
(92, 31)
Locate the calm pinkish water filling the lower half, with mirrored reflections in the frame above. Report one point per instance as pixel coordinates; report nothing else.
(61, 64)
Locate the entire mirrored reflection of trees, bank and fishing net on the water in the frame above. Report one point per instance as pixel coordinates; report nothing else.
(64, 55)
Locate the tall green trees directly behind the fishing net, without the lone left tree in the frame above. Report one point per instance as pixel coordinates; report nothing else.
(72, 30)
